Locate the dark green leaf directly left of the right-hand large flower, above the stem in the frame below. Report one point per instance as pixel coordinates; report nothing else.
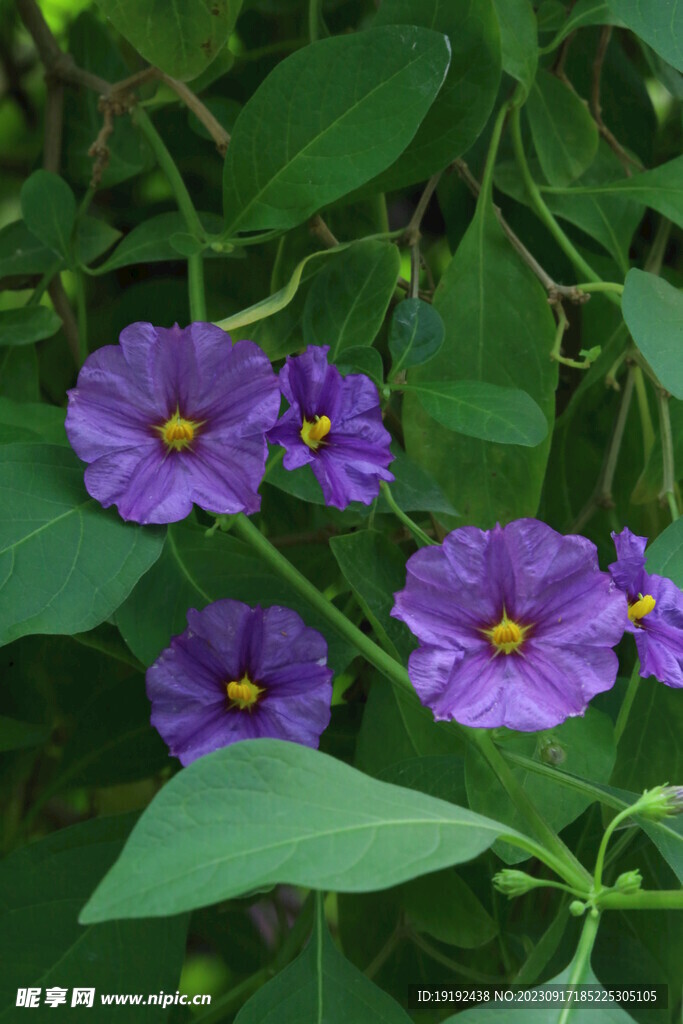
(375, 569)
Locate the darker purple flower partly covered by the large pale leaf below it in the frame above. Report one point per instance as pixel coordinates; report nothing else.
(240, 673)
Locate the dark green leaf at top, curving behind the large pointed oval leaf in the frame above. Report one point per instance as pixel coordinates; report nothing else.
(463, 106)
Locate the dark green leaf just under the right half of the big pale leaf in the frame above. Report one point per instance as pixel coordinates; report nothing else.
(445, 907)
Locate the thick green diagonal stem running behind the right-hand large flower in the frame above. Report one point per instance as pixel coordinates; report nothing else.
(554, 852)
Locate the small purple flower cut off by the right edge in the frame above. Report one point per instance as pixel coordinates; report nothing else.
(655, 614)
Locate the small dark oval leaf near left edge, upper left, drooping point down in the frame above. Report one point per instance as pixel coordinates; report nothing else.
(49, 208)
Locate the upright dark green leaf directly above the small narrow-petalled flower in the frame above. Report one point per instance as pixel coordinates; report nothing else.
(347, 304)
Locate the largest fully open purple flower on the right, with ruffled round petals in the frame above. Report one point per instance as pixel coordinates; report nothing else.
(517, 626)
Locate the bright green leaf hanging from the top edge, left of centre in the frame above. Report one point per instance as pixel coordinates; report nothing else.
(182, 37)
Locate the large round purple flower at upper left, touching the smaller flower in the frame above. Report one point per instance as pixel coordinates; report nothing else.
(172, 417)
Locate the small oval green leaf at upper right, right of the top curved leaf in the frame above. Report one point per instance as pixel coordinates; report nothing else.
(566, 136)
